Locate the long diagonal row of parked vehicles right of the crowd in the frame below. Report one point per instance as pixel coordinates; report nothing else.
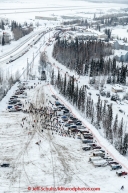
(99, 158)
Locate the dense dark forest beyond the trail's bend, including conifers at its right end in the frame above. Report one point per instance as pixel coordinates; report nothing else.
(87, 59)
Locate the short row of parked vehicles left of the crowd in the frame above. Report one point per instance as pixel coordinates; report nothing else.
(15, 104)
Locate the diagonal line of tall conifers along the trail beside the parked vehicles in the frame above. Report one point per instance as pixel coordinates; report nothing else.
(99, 114)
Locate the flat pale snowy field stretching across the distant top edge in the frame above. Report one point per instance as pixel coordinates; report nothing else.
(59, 8)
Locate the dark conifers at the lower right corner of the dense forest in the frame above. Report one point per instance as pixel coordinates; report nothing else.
(116, 74)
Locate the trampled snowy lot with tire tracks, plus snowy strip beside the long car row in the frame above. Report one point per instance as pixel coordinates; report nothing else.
(58, 161)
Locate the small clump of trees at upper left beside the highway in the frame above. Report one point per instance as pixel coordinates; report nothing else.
(19, 31)
